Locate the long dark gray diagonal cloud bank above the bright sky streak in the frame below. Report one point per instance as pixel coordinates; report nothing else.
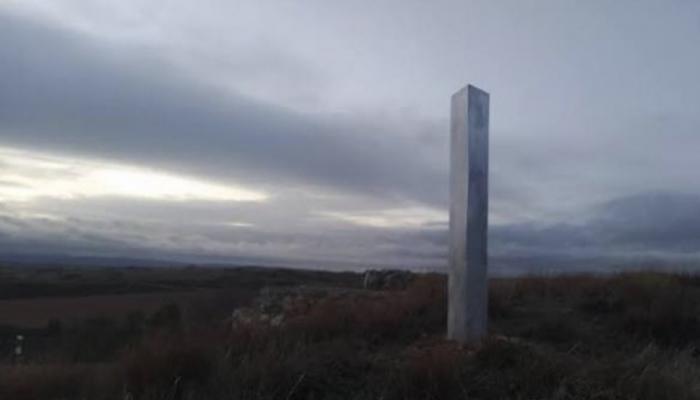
(58, 91)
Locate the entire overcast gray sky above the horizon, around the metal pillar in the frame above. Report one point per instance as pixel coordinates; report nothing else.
(316, 132)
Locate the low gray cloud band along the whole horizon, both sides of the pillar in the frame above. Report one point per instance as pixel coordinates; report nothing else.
(649, 226)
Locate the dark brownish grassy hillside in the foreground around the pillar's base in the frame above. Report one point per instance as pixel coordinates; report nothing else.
(631, 336)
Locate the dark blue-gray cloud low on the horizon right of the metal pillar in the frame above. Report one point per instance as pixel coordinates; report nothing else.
(644, 224)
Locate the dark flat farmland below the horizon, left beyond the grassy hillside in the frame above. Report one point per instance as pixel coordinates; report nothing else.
(31, 296)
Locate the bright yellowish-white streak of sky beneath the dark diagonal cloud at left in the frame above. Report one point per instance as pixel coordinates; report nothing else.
(28, 175)
